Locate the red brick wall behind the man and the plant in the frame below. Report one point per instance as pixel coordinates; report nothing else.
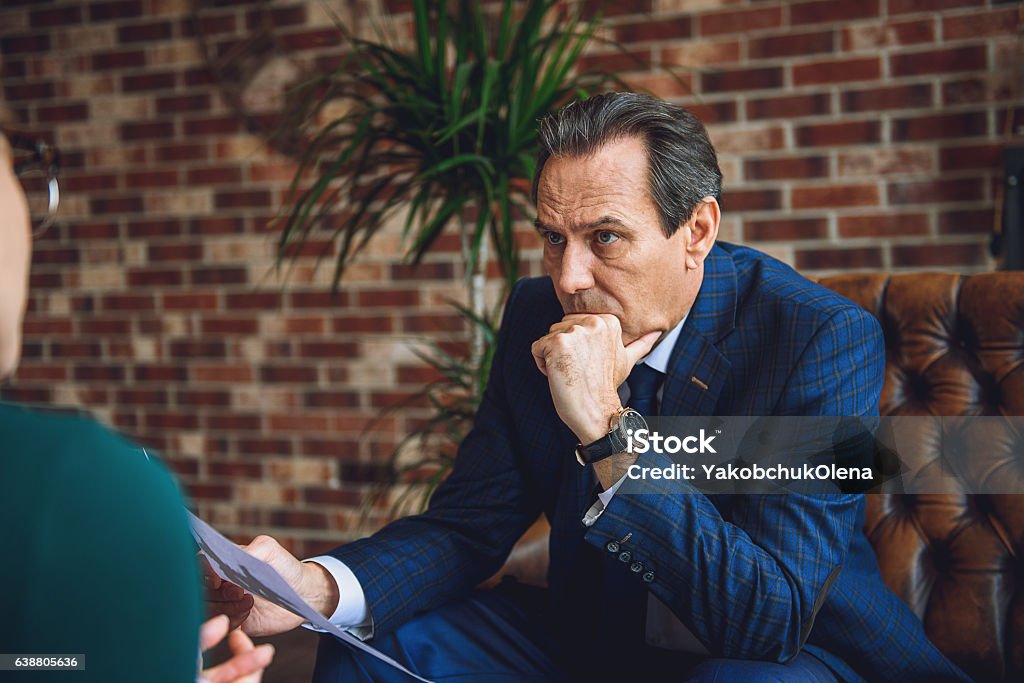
(852, 136)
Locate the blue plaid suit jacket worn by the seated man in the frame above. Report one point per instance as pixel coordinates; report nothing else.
(748, 575)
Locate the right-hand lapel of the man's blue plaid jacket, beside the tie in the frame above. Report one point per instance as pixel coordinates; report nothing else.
(698, 371)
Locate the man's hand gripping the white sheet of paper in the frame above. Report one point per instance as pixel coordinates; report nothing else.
(259, 617)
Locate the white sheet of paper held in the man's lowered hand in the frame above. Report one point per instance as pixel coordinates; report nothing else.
(259, 578)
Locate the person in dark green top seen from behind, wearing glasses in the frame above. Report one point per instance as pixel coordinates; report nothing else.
(89, 521)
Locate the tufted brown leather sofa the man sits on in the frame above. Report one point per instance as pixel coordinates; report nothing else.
(955, 347)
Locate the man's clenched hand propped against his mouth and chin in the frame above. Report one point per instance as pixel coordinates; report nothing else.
(585, 362)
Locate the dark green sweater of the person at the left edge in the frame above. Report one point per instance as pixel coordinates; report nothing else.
(98, 557)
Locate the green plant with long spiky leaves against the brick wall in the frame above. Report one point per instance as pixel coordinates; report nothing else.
(444, 130)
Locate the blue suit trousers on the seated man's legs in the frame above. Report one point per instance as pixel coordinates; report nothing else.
(501, 636)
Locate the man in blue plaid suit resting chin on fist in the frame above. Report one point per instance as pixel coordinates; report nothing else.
(642, 314)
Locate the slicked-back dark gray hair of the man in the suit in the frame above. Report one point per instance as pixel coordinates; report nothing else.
(681, 161)
